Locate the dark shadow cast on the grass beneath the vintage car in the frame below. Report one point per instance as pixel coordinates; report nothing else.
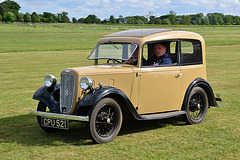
(24, 129)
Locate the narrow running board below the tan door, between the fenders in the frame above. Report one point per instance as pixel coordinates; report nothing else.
(162, 115)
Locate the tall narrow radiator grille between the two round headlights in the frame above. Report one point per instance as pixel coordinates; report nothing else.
(67, 89)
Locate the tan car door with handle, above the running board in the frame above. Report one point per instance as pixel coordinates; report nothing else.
(159, 89)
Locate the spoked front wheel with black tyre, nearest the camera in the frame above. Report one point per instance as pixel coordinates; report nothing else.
(105, 121)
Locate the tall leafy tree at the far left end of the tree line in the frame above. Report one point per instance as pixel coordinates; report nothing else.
(9, 6)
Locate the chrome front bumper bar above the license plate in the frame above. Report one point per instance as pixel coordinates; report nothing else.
(61, 116)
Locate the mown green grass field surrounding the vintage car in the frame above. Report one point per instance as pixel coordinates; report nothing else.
(29, 52)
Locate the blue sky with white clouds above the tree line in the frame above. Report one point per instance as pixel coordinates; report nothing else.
(103, 9)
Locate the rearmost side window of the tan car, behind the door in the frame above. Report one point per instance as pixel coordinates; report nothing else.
(191, 52)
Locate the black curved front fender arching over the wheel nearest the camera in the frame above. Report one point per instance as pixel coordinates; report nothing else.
(93, 97)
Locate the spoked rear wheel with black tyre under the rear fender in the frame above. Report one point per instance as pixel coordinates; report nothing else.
(197, 106)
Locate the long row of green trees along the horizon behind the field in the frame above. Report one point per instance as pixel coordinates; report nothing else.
(9, 13)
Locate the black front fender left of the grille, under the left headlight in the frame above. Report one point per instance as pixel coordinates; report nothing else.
(49, 96)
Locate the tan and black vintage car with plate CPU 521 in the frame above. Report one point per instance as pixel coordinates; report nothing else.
(122, 86)
